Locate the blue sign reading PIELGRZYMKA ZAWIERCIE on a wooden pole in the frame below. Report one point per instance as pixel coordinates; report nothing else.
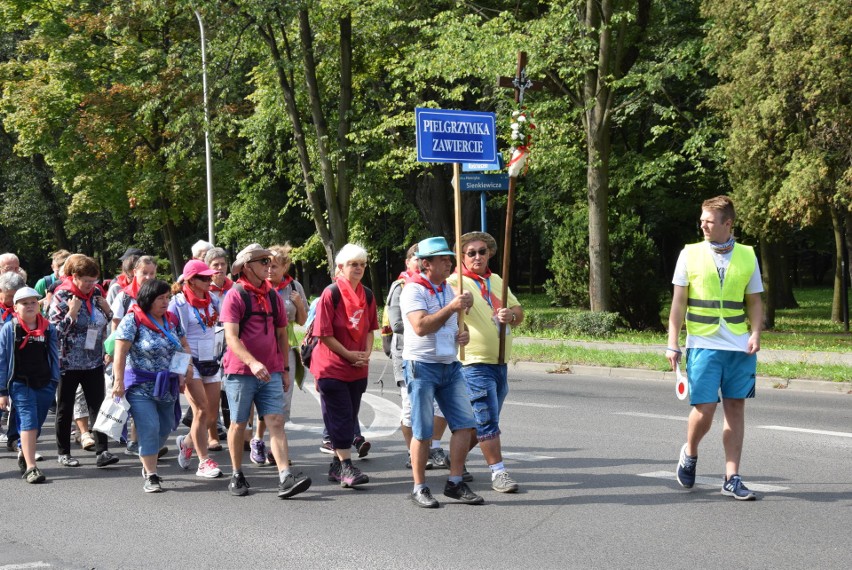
(455, 136)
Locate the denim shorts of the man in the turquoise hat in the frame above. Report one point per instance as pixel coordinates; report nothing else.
(444, 383)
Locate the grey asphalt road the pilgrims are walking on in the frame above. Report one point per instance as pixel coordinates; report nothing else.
(594, 456)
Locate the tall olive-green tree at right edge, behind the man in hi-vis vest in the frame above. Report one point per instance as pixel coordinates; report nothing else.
(785, 70)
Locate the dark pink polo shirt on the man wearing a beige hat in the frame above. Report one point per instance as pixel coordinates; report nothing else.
(258, 334)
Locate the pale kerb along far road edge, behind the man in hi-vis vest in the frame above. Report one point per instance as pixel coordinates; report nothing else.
(763, 382)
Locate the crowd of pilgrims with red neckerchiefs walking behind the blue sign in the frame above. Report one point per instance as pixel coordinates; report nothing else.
(224, 337)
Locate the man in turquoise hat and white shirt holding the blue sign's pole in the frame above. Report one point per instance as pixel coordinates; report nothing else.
(430, 317)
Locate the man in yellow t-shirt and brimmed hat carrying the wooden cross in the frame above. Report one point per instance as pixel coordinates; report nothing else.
(487, 382)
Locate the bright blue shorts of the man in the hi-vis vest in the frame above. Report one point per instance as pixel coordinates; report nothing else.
(711, 371)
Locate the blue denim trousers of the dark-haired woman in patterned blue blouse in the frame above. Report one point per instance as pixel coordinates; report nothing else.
(154, 417)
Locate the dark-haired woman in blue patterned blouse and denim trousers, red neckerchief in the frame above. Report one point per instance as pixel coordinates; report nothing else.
(152, 364)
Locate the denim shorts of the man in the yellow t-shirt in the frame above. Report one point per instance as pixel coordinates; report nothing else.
(487, 386)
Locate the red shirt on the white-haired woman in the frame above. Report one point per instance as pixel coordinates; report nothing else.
(331, 321)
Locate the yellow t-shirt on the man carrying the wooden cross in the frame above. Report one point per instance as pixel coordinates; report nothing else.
(484, 346)
